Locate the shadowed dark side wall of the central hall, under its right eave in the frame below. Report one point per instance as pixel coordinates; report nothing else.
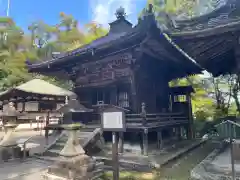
(152, 86)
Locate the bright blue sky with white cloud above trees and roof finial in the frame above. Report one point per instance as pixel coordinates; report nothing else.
(102, 11)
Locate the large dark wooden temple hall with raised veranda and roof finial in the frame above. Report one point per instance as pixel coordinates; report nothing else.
(131, 67)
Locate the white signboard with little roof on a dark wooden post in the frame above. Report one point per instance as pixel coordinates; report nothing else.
(113, 120)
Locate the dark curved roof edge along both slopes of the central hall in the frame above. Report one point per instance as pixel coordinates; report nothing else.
(138, 32)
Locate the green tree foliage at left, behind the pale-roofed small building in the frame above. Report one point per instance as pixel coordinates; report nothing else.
(44, 39)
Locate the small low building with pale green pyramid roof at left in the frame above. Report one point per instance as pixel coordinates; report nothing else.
(35, 98)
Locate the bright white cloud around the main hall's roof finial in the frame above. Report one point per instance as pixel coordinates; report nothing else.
(103, 11)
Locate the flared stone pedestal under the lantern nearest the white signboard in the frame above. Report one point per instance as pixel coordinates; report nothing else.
(73, 163)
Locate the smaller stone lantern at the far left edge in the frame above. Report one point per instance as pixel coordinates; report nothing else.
(8, 146)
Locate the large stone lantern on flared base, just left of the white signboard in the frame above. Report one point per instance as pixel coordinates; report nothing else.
(72, 163)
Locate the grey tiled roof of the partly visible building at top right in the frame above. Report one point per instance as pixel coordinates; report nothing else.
(224, 16)
